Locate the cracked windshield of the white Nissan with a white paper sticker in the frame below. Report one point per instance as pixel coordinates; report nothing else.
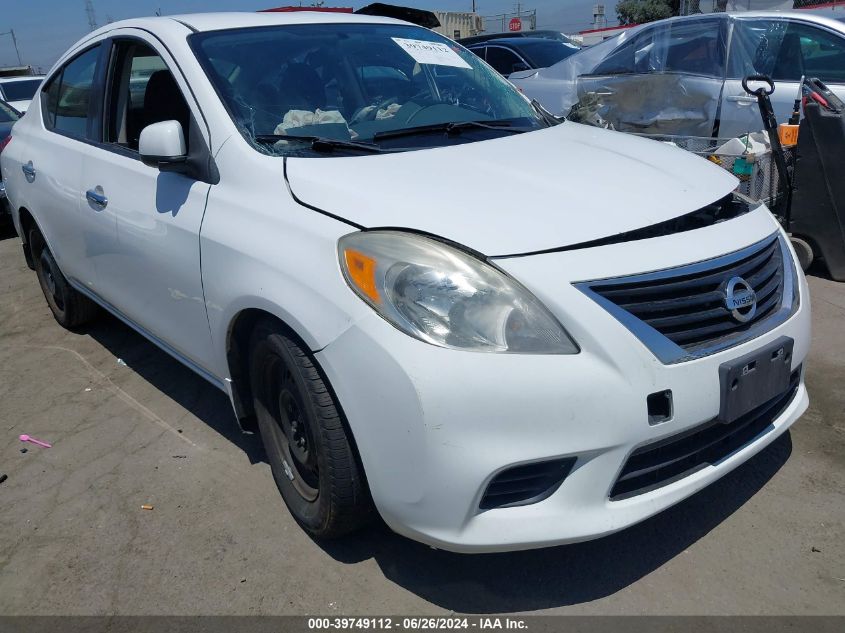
(314, 89)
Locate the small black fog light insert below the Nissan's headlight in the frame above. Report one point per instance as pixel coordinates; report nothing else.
(528, 483)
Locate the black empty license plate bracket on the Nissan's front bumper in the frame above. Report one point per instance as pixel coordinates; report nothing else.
(754, 379)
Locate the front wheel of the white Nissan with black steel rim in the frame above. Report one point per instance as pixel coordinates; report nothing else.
(309, 449)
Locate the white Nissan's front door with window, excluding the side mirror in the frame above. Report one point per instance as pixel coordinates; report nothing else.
(153, 273)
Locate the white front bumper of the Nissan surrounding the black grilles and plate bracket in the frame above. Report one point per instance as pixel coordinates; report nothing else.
(434, 426)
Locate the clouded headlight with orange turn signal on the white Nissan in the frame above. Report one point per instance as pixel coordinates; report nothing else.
(446, 297)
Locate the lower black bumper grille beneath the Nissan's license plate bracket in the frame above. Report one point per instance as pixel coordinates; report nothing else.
(668, 460)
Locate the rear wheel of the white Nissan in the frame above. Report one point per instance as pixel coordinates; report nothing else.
(70, 308)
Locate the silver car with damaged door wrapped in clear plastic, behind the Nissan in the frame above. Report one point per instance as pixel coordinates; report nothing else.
(683, 75)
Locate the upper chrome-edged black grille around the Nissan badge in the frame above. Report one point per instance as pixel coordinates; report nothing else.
(687, 305)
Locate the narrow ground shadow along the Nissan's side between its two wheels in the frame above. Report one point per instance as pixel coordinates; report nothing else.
(174, 380)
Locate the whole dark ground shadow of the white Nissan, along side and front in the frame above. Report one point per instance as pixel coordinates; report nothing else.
(489, 583)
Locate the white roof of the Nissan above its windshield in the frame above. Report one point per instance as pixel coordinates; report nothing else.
(202, 22)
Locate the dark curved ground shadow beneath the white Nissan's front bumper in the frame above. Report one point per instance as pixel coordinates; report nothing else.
(565, 575)
